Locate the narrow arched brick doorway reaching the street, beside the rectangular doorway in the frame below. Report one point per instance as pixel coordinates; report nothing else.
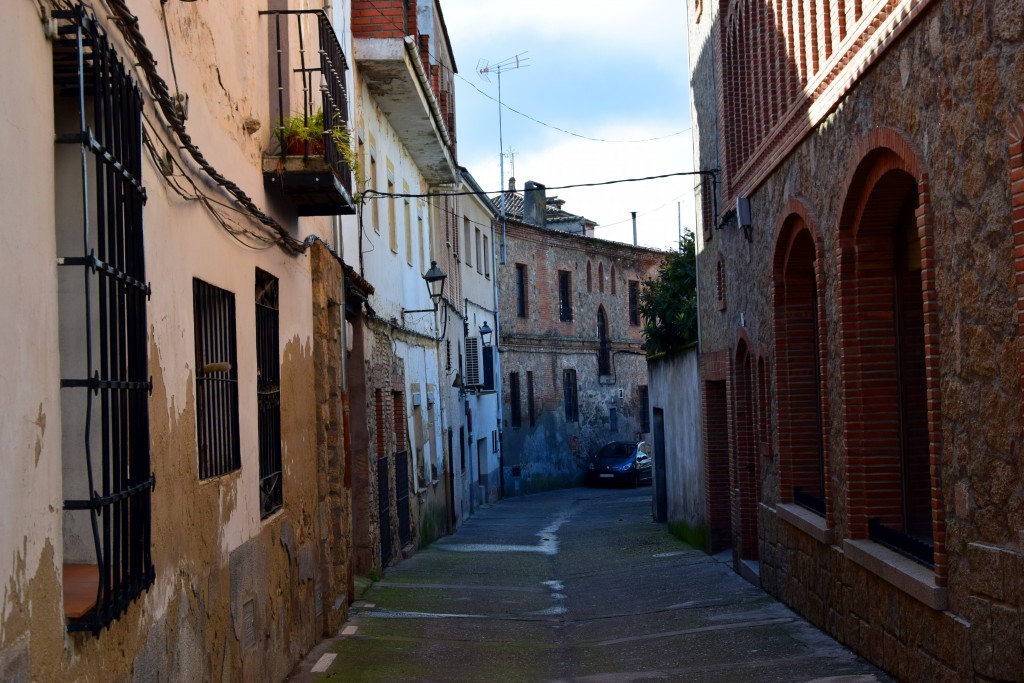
(744, 461)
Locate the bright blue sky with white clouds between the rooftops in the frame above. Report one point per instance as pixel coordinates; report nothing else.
(601, 69)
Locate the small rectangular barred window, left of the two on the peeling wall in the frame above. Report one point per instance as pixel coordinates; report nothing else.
(217, 381)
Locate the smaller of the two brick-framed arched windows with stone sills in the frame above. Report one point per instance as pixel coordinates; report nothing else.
(801, 351)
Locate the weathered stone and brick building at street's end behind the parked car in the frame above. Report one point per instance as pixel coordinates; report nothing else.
(573, 359)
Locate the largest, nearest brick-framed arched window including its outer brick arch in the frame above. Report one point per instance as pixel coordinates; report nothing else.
(890, 346)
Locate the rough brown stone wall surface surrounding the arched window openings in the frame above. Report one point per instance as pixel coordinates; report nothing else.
(937, 104)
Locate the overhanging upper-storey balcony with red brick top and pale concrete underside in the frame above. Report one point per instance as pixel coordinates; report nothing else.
(392, 67)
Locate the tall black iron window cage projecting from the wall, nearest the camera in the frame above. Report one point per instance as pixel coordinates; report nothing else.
(105, 368)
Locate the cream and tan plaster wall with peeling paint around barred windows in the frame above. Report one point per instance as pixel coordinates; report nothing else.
(235, 596)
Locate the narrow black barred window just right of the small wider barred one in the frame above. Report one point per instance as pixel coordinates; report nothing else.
(269, 393)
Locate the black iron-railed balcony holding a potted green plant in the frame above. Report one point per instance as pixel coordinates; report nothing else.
(310, 170)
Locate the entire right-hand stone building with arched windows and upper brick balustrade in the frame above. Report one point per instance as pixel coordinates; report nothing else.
(861, 275)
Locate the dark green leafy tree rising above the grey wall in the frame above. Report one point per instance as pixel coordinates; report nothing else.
(669, 304)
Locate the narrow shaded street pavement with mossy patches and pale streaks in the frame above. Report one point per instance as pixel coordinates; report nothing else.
(574, 586)
